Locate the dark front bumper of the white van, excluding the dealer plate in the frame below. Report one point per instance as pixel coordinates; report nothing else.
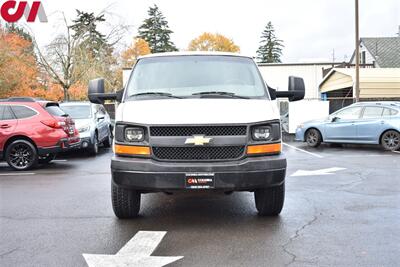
(148, 175)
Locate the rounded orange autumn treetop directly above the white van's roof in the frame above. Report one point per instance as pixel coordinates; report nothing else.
(213, 42)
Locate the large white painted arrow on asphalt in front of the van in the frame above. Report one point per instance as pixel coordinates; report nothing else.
(137, 252)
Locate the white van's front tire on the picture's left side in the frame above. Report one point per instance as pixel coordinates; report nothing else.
(125, 202)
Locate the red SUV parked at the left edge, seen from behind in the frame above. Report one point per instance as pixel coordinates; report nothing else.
(33, 131)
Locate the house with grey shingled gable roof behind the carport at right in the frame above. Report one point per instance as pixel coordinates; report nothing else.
(382, 52)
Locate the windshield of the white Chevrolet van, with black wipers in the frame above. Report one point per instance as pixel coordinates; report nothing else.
(195, 76)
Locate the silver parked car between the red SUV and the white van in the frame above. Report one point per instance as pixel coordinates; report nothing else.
(93, 124)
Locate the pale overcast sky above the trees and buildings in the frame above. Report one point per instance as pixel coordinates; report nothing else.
(310, 29)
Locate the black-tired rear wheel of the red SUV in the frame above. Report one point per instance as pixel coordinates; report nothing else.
(21, 155)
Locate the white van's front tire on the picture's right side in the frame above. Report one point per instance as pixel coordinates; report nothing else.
(269, 201)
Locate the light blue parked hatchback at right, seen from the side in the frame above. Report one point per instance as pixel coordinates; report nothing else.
(359, 123)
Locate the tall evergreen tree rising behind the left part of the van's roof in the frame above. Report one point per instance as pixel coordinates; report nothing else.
(155, 31)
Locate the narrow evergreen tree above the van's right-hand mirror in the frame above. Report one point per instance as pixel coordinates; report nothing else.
(270, 50)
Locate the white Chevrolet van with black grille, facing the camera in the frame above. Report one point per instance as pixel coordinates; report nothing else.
(197, 121)
